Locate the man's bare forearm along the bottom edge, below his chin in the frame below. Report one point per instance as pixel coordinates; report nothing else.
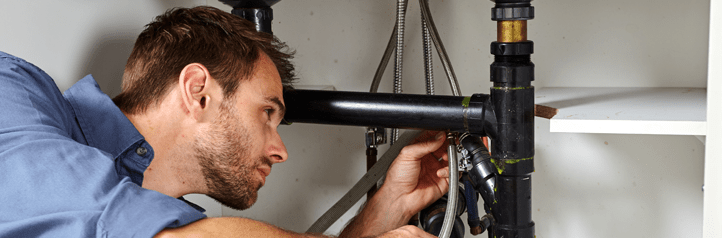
(229, 227)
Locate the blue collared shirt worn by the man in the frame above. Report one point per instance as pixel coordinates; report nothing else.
(71, 165)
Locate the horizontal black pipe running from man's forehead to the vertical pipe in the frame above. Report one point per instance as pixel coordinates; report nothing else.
(453, 113)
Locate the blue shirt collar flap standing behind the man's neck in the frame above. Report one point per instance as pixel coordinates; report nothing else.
(103, 124)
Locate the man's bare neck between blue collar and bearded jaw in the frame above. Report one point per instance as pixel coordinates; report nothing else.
(173, 170)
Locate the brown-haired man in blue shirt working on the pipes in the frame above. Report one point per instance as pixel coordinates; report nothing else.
(201, 98)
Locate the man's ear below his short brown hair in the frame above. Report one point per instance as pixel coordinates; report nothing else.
(198, 91)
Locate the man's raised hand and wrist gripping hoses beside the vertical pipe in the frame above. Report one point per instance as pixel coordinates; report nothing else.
(415, 179)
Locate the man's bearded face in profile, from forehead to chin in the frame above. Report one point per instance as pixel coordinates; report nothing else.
(240, 146)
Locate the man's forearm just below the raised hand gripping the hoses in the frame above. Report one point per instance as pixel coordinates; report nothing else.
(381, 214)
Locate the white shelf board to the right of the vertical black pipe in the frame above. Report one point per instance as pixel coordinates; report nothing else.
(656, 111)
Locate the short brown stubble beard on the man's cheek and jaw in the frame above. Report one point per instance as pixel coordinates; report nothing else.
(224, 157)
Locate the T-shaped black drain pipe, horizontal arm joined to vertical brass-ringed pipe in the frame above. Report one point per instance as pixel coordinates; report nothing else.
(506, 116)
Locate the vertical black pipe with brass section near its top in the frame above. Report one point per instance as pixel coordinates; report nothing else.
(513, 100)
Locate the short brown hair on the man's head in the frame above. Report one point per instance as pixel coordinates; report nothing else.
(227, 45)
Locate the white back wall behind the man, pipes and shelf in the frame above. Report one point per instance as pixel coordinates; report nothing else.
(585, 185)
